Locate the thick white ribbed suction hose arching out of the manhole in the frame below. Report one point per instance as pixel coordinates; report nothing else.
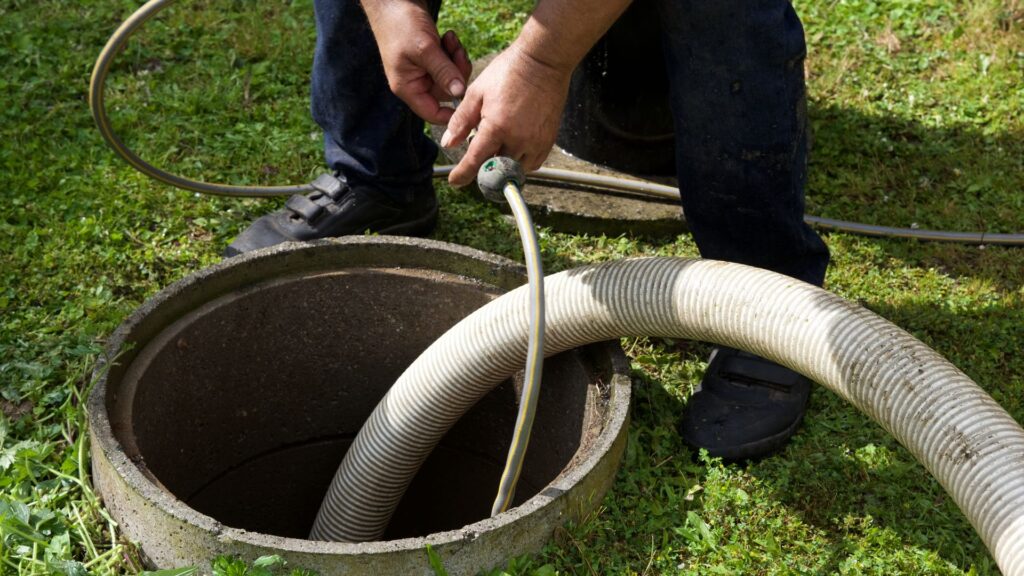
(961, 435)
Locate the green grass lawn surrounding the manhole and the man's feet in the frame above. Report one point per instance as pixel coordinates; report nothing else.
(918, 110)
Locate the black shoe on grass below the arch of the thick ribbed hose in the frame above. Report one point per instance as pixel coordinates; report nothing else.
(746, 408)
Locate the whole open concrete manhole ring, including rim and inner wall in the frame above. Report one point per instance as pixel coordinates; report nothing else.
(229, 399)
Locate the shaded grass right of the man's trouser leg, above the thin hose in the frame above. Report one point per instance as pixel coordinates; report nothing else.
(893, 172)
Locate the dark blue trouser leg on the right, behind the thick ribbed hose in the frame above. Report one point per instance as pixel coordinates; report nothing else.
(737, 76)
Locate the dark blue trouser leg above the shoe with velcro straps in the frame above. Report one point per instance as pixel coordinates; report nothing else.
(369, 135)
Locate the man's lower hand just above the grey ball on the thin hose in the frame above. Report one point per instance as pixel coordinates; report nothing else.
(516, 106)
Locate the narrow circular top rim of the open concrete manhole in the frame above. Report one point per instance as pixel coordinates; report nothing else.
(506, 275)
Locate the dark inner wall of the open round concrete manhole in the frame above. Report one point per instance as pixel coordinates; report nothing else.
(240, 398)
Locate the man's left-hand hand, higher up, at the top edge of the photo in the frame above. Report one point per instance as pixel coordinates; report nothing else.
(422, 69)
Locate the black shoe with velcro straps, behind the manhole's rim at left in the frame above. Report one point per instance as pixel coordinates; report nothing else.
(336, 209)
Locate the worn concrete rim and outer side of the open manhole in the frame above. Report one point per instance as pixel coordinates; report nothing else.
(113, 469)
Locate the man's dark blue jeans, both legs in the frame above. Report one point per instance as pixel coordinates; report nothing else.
(737, 80)
